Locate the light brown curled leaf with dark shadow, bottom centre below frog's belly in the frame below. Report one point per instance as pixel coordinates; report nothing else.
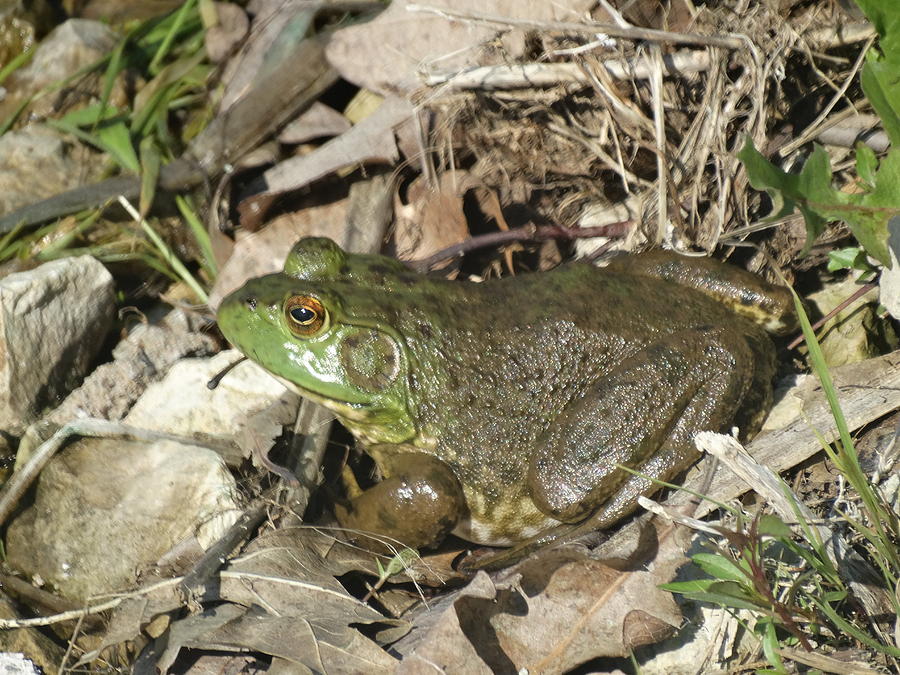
(550, 614)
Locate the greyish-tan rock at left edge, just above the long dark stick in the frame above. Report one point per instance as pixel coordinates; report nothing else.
(36, 163)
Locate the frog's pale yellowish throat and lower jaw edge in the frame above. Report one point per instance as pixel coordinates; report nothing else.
(370, 422)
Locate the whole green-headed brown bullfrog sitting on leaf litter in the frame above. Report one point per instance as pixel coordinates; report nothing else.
(499, 410)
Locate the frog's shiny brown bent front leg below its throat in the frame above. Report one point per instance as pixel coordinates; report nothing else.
(418, 505)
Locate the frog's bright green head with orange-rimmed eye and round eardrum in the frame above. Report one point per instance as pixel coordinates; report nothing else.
(311, 325)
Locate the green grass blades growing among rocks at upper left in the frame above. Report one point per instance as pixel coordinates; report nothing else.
(139, 138)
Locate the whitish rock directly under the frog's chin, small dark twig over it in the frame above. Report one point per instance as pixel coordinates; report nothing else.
(248, 408)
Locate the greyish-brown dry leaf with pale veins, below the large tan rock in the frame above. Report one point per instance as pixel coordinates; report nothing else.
(281, 598)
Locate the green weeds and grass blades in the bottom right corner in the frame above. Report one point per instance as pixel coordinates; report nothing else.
(785, 576)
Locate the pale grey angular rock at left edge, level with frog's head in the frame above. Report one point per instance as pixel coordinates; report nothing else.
(53, 320)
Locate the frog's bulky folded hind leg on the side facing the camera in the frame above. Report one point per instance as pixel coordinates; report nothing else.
(642, 415)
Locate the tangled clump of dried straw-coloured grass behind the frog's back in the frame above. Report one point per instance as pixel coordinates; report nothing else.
(592, 139)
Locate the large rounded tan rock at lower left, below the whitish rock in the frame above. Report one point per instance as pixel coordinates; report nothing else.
(106, 509)
